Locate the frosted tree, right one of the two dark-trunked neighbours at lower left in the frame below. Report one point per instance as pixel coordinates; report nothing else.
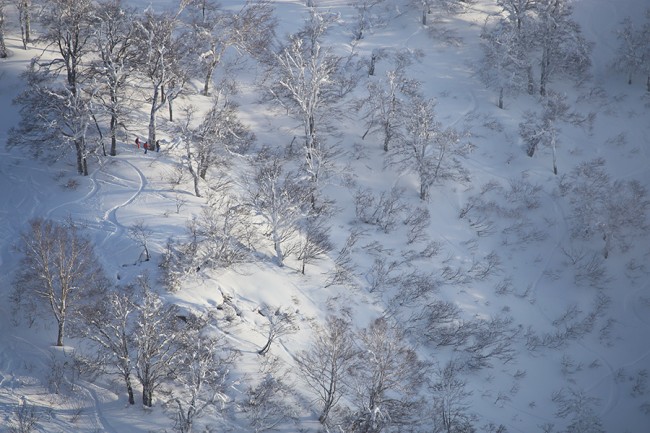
(155, 337)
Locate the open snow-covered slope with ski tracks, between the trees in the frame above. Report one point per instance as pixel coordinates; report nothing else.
(538, 279)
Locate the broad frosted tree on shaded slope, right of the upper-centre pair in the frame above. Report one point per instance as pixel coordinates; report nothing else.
(428, 149)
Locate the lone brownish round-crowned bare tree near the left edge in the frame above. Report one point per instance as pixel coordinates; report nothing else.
(59, 272)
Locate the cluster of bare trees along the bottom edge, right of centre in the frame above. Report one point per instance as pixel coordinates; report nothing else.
(372, 380)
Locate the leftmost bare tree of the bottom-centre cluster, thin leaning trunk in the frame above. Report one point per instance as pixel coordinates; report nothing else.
(324, 366)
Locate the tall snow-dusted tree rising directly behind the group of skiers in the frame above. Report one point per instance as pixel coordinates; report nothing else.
(160, 61)
